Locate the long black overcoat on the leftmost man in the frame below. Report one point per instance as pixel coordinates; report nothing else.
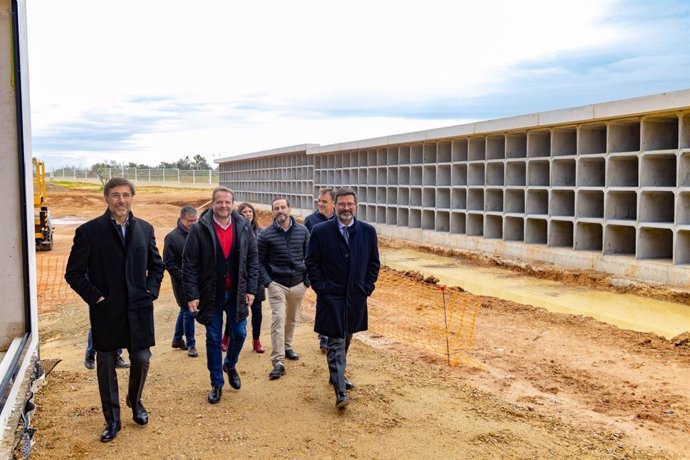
(127, 273)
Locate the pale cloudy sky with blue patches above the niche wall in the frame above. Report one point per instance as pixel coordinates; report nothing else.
(155, 80)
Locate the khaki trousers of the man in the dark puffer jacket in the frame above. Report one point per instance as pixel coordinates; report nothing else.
(285, 304)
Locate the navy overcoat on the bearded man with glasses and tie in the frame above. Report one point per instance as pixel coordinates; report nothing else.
(342, 275)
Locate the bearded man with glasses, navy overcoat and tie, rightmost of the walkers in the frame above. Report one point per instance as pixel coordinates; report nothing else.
(343, 266)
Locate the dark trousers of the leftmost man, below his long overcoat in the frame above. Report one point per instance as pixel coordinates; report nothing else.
(107, 381)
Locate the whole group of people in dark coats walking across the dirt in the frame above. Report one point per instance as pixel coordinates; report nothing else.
(218, 265)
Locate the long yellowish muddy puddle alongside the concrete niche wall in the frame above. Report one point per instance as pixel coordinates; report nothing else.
(623, 310)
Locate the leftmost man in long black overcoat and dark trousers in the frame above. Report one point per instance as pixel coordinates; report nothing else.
(115, 267)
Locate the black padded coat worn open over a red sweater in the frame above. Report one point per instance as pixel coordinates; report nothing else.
(199, 271)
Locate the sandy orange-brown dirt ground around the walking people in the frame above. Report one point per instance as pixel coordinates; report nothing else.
(534, 384)
